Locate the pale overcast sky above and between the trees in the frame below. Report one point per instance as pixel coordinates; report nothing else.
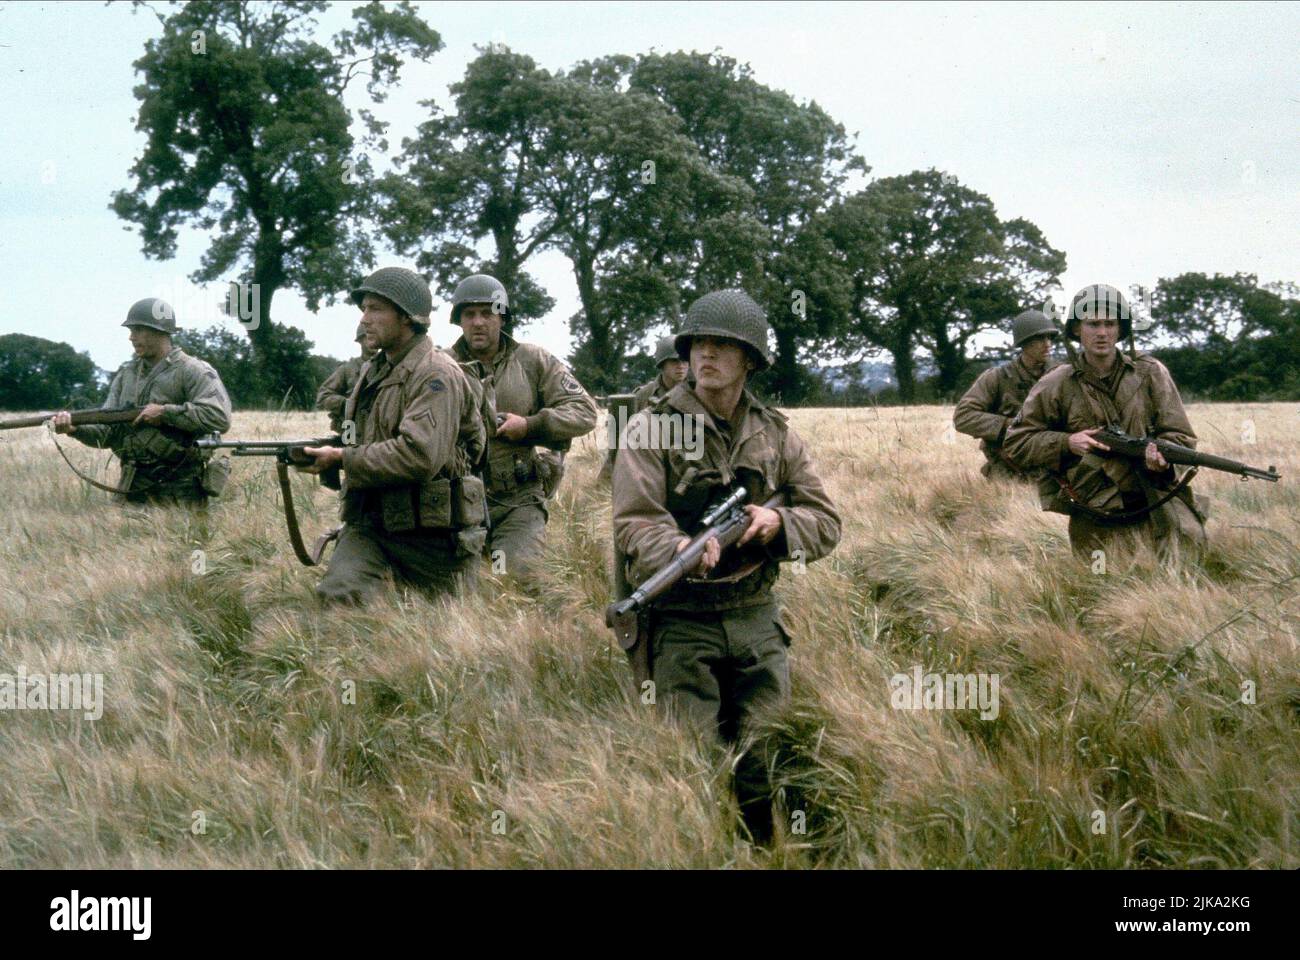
(1146, 141)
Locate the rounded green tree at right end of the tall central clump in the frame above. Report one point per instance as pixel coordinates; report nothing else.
(930, 266)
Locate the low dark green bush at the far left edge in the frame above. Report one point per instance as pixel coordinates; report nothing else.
(40, 374)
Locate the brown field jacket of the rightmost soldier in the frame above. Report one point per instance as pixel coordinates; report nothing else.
(1139, 395)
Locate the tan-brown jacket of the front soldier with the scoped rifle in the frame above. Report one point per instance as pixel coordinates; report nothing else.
(661, 495)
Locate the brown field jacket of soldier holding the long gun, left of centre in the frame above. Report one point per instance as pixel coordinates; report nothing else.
(418, 429)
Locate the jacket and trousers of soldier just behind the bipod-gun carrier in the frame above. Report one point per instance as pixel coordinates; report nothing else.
(527, 380)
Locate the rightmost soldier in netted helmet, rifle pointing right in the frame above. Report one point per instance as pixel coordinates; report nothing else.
(1111, 501)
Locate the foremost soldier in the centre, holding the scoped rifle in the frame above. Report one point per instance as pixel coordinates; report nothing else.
(717, 641)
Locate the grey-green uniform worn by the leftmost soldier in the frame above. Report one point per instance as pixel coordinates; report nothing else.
(161, 464)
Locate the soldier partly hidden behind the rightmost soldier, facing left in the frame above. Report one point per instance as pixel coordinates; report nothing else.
(996, 396)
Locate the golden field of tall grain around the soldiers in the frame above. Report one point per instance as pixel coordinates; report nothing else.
(1149, 717)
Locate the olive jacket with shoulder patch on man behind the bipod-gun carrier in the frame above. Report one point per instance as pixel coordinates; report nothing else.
(527, 380)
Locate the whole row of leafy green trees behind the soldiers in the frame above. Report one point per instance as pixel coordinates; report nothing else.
(658, 178)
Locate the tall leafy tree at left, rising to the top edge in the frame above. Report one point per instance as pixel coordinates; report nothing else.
(249, 140)
